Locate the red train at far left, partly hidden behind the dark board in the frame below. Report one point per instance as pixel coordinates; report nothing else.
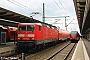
(9, 33)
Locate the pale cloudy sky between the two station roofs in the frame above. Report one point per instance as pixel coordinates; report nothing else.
(53, 8)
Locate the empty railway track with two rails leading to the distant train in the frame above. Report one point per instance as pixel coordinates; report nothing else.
(63, 53)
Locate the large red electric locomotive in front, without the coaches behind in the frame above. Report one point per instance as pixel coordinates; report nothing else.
(35, 34)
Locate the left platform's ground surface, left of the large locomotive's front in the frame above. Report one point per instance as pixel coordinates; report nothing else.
(8, 49)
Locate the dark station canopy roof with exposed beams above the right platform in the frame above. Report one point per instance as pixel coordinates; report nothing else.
(82, 8)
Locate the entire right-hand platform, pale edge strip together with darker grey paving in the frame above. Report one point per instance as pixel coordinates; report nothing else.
(82, 51)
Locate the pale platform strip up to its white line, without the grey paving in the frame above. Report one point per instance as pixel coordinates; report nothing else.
(80, 52)
